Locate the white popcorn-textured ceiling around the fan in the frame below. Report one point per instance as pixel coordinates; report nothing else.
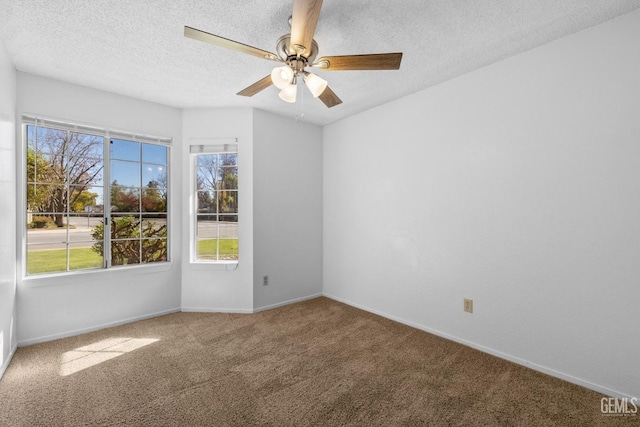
(137, 48)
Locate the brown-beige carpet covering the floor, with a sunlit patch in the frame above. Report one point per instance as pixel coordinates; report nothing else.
(318, 363)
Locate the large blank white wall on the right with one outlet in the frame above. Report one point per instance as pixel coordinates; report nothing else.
(517, 185)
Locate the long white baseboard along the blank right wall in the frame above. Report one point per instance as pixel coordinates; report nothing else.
(545, 370)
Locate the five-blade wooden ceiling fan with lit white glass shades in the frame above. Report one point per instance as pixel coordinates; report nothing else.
(297, 51)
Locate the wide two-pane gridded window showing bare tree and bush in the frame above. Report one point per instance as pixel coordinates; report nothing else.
(88, 190)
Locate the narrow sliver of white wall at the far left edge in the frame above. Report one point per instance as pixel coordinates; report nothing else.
(8, 340)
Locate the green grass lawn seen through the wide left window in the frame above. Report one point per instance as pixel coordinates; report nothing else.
(54, 260)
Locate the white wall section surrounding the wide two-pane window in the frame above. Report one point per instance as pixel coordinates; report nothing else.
(52, 307)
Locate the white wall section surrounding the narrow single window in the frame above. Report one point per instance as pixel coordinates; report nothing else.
(210, 287)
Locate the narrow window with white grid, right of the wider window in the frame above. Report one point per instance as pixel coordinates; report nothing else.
(216, 203)
